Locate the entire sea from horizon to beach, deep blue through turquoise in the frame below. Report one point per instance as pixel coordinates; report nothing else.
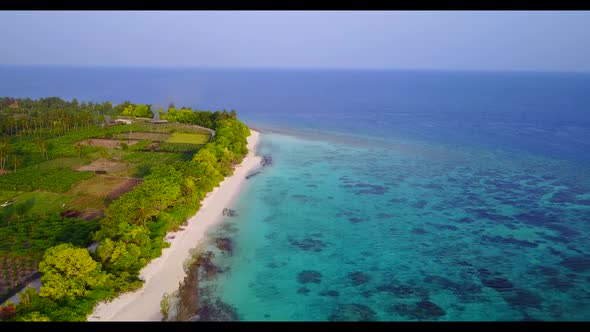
(393, 195)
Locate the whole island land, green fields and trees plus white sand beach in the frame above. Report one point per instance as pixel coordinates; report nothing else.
(90, 192)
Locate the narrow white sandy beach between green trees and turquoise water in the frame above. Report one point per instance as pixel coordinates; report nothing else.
(165, 273)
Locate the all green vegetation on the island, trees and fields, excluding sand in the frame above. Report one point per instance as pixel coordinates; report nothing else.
(46, 141)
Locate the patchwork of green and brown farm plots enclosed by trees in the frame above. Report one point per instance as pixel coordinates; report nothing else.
(78, 180)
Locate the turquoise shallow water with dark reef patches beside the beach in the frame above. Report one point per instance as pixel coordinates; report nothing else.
(337, 230)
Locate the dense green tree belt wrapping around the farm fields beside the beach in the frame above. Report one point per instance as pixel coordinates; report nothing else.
(133, 228)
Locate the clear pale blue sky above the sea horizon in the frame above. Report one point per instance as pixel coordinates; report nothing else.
(465, 40)
